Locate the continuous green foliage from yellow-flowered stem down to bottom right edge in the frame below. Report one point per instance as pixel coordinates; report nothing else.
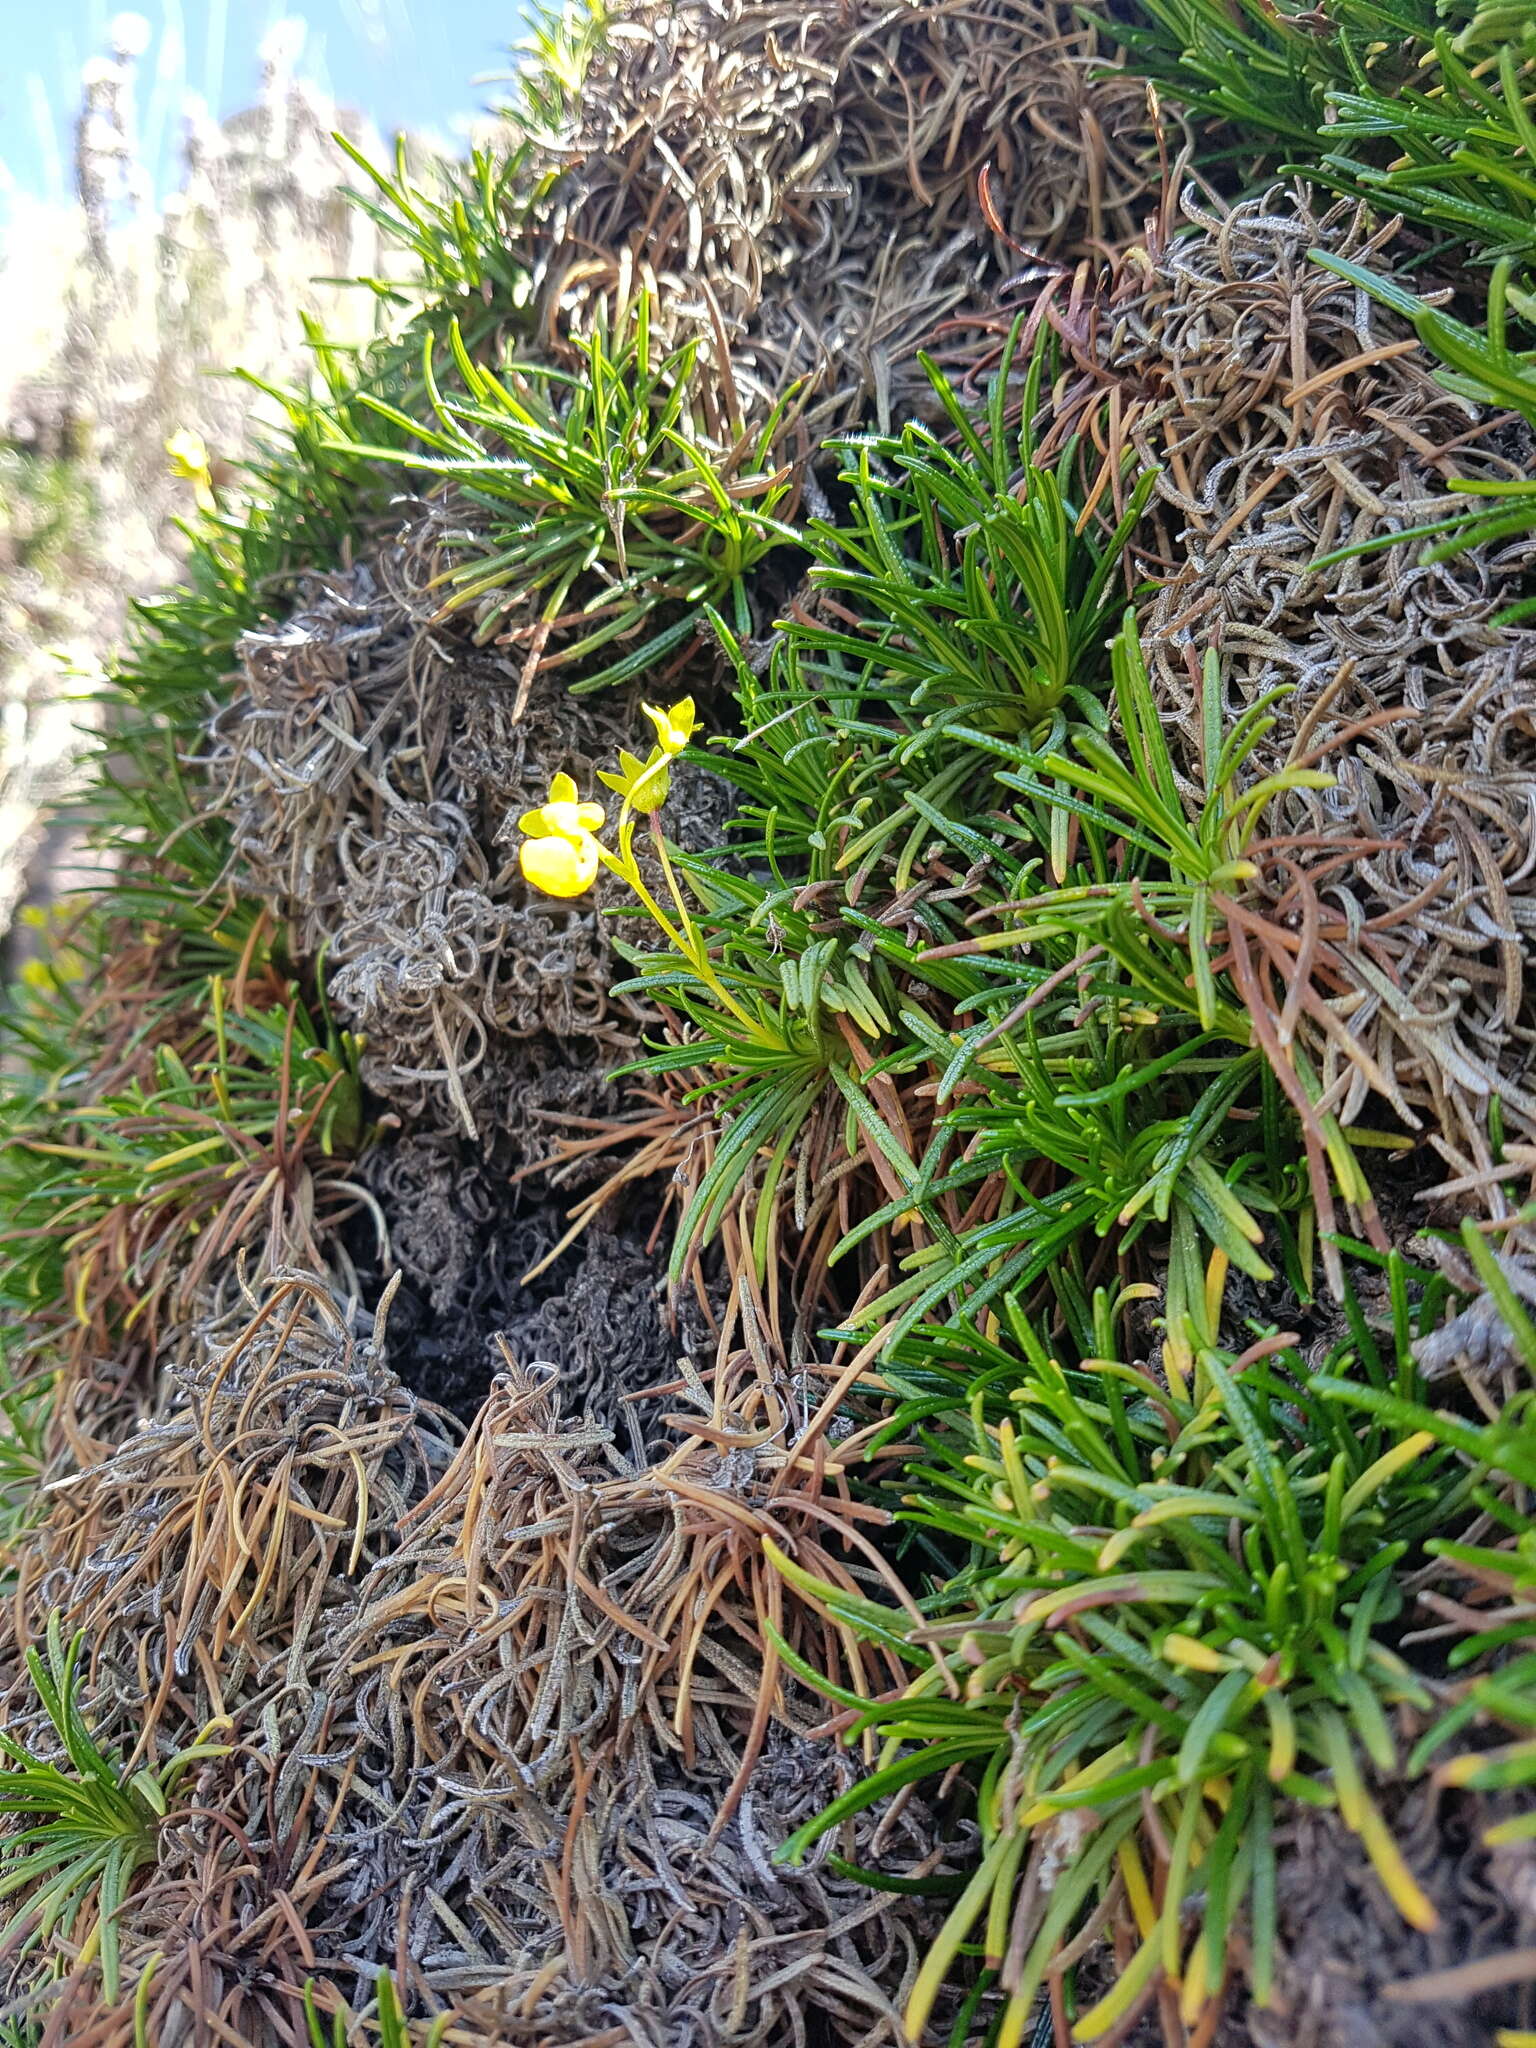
(1170, 1601)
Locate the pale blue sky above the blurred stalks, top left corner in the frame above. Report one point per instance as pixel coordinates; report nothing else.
(402, 62)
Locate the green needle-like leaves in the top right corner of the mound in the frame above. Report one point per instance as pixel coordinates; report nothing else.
(1428, 112)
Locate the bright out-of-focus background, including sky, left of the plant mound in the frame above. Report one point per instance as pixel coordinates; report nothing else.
(171, 202)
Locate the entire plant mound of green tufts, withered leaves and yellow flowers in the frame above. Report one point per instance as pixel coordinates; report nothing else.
(1107, 912)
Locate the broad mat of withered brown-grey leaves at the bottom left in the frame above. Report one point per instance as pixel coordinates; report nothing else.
(505, 1713)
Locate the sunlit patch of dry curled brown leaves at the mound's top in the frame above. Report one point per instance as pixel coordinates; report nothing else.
(822, 191)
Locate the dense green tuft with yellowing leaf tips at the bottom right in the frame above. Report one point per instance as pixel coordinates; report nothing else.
(1172, 1607)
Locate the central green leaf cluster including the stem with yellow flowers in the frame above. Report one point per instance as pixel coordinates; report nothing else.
(945, 710)
